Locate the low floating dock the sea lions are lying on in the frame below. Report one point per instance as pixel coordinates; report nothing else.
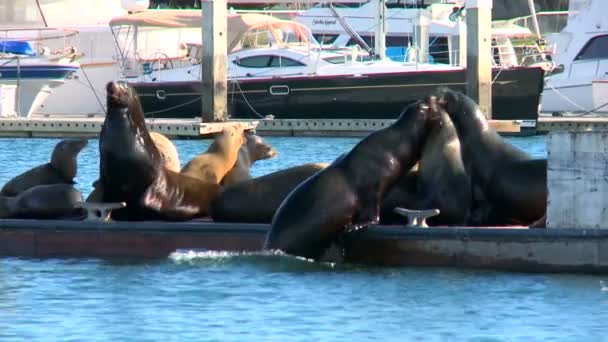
(513, 249)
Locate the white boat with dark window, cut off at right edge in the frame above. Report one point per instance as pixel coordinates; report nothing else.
(579, 84)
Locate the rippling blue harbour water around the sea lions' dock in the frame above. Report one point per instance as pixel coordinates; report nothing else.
(230, 297)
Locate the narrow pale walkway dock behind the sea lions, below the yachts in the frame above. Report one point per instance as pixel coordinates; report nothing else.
(81, 126)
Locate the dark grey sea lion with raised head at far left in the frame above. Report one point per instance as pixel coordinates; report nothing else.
(60, 170)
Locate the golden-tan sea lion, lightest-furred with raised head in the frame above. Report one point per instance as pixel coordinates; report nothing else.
(219, 158)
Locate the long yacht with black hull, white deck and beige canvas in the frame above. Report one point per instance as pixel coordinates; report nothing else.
(297, 77)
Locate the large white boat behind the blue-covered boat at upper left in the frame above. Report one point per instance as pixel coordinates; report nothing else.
(83, 93)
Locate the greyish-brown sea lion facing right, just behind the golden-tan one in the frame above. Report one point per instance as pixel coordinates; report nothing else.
(253, 150)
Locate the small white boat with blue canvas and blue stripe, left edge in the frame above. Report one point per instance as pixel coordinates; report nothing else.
(27, 77)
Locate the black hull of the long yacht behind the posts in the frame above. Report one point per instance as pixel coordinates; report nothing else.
(515, 95)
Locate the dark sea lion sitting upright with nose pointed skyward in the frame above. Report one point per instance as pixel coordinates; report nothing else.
(131, 169)
